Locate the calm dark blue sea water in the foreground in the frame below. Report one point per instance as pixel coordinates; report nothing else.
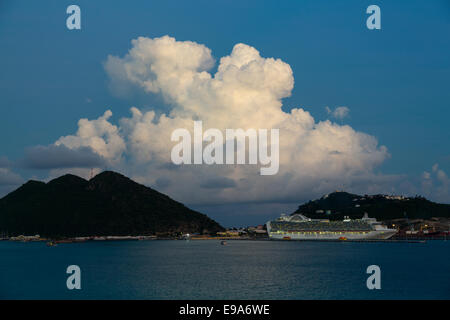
(240, 270)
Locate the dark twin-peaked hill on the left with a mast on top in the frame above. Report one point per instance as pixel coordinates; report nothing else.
(108, 204)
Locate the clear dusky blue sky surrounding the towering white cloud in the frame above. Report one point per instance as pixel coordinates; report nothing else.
(394, 80)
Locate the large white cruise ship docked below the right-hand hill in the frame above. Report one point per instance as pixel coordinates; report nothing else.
(299, 227)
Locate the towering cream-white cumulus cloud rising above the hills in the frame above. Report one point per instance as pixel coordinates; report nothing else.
(245, 92)
